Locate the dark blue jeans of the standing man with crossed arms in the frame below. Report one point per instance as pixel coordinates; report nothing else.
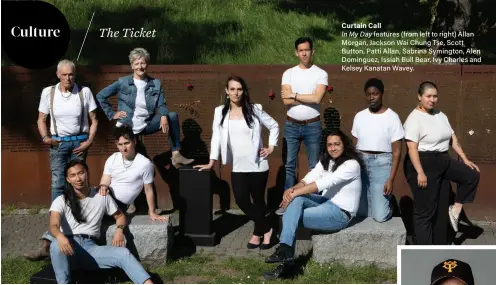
(311, 135)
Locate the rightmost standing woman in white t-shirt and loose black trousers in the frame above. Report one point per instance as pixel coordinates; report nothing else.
(428, 164)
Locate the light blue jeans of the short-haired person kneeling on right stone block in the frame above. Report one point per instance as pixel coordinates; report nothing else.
(373, 202)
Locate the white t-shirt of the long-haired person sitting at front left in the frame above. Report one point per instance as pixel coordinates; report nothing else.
(93, 208)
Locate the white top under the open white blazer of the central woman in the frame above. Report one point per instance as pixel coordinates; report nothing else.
(241, 147)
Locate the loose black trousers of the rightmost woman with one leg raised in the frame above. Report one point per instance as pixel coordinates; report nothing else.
(431, 204)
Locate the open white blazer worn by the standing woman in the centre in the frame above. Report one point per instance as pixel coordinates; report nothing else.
(220, 134)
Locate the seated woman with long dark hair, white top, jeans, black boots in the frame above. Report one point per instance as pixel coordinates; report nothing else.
(326, 199)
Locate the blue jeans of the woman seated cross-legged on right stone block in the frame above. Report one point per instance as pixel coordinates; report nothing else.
(316, 212)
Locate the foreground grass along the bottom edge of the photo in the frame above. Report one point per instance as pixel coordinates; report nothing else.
(202, 268)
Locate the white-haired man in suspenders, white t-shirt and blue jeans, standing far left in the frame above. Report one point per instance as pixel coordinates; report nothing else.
(71, 108)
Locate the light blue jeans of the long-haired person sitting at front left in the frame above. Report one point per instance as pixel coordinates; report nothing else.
(88, 255)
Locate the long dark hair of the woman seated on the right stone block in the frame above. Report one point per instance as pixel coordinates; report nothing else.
(349, 151)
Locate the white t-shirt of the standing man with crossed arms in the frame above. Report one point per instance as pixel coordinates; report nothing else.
(304, 81)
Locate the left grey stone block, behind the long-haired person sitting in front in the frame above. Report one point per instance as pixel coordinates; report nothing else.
(148, 240)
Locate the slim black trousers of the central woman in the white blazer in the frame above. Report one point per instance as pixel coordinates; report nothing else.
(246, 184)
